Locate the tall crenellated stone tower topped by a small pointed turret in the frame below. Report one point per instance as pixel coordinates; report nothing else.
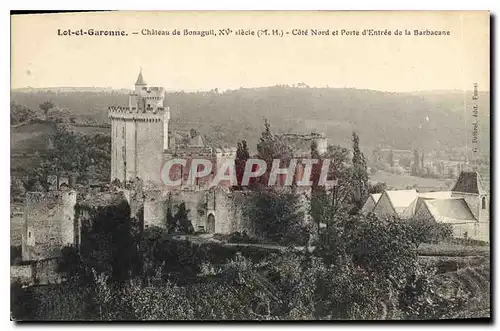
(139, 134)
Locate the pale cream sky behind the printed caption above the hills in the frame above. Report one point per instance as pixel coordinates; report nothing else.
(42, 58)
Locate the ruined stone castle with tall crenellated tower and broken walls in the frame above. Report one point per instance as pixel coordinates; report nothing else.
(140, 145)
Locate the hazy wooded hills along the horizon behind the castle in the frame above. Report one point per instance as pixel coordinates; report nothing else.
(425, 120)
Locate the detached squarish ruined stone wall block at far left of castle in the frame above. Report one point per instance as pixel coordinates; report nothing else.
(49, 224)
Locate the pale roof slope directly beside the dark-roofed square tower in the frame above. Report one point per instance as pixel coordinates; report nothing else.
(450, 210)
